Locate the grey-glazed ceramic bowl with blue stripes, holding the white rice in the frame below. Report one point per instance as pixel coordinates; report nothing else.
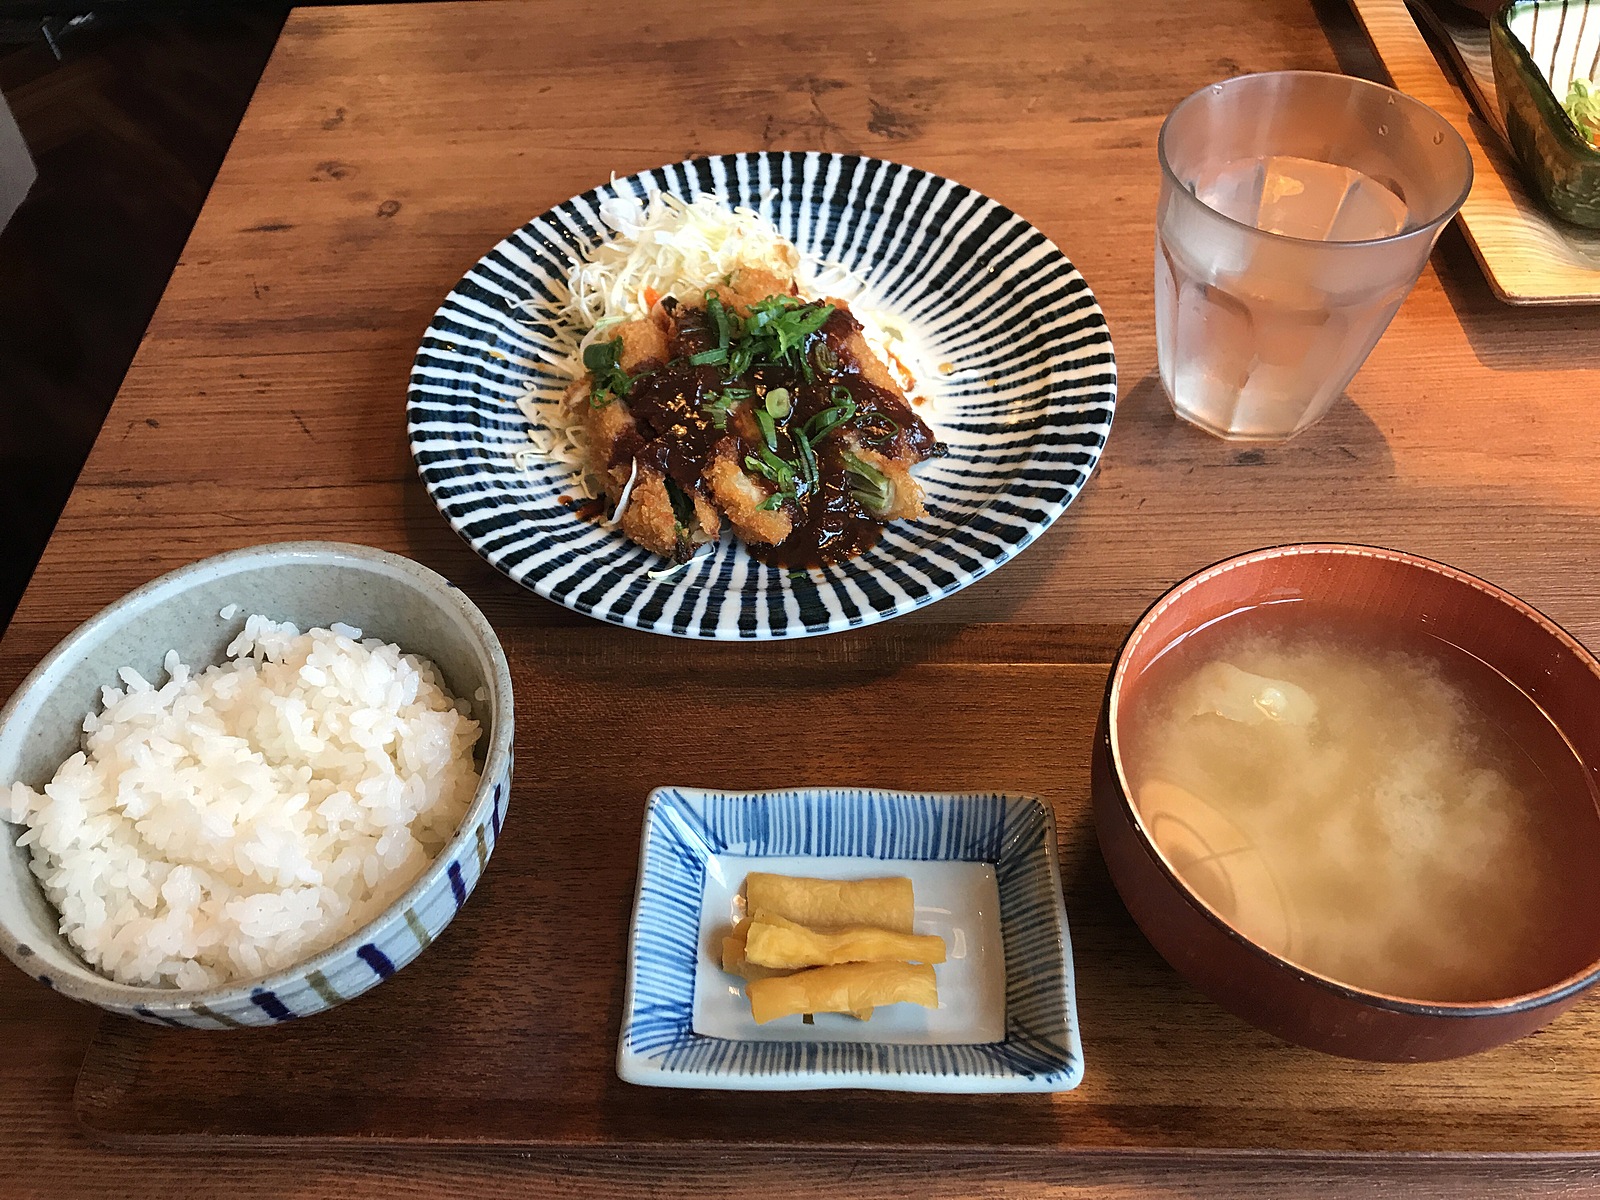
(311, 585)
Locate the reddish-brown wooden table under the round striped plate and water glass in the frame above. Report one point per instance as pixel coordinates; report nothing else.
(390, 146)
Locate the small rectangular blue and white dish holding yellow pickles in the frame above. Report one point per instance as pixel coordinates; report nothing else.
(986, 879)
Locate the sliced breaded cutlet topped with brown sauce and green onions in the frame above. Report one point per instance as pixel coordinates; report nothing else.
(753, 407)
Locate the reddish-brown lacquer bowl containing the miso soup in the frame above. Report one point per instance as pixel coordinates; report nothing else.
(1289, 1001)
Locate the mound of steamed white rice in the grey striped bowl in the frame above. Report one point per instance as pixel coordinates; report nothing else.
(238, 822)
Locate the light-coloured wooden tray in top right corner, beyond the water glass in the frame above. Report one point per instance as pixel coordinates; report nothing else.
(1527, 255)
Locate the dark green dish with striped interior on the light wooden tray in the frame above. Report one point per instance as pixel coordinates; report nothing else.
(1535, 47)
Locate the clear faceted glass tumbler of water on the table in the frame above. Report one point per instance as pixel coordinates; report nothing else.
(1297, 212)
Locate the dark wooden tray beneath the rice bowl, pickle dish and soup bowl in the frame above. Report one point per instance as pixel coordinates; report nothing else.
(506, 1030)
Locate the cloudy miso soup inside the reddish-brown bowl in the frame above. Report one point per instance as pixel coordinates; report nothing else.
(1369, 802)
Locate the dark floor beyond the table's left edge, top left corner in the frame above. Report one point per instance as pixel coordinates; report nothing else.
(127, 129)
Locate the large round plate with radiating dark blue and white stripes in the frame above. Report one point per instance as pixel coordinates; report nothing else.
(1025, 402)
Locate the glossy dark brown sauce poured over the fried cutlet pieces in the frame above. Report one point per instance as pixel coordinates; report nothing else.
(678, 438)
